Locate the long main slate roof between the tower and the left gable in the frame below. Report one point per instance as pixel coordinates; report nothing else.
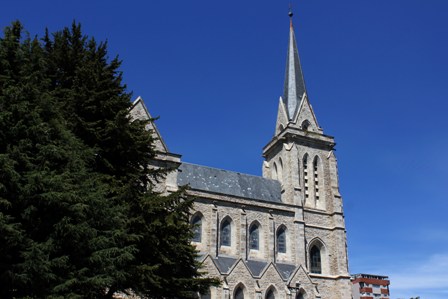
(228, 182)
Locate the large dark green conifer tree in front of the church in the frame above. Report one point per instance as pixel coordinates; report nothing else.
(78, 214)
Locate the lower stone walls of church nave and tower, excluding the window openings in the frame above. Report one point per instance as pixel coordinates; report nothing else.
(269, 215)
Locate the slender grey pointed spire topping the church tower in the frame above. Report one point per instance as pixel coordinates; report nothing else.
(294, 87)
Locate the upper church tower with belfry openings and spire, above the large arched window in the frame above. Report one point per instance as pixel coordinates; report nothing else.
(300, 155)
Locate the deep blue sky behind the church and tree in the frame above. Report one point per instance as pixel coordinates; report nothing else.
(377, 77)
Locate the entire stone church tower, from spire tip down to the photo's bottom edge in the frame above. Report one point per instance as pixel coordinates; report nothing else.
(301, 157)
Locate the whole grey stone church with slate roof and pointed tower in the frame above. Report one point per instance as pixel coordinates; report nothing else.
(281, 235)
